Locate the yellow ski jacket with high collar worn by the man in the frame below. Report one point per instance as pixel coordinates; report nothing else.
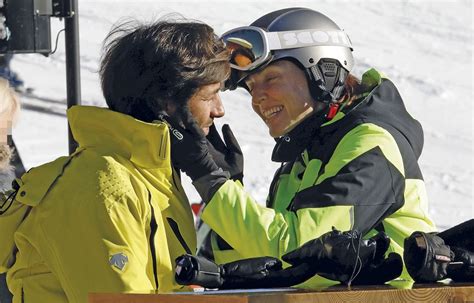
(112, 217)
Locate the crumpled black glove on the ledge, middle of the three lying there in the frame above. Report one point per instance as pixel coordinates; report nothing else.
(345, 257)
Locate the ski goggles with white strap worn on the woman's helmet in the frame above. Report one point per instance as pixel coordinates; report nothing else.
(250, 46)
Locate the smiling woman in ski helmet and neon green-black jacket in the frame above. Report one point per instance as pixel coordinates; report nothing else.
(348, 148)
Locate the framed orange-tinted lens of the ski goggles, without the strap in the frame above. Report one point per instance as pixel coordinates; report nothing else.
(247, 48)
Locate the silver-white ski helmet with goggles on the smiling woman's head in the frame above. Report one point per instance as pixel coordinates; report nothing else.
(303, 35)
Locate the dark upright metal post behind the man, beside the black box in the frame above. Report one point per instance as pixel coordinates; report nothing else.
(73, 69)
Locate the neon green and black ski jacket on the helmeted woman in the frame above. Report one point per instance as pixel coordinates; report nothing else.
(358, 171)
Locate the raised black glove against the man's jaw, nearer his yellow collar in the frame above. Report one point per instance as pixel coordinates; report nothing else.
(189, 151)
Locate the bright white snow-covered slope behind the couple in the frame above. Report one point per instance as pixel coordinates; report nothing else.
(425, 47)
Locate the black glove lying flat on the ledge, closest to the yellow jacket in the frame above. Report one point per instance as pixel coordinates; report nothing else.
(260, 272)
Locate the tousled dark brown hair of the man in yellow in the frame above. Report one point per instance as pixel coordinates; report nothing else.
(145, 67)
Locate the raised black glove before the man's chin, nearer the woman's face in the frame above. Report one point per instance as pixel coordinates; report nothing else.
(227, 154)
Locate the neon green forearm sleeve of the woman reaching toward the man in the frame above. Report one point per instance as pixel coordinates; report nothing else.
(254, 230)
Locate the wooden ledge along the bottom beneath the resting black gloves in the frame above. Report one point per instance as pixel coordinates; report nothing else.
(452, 293)
